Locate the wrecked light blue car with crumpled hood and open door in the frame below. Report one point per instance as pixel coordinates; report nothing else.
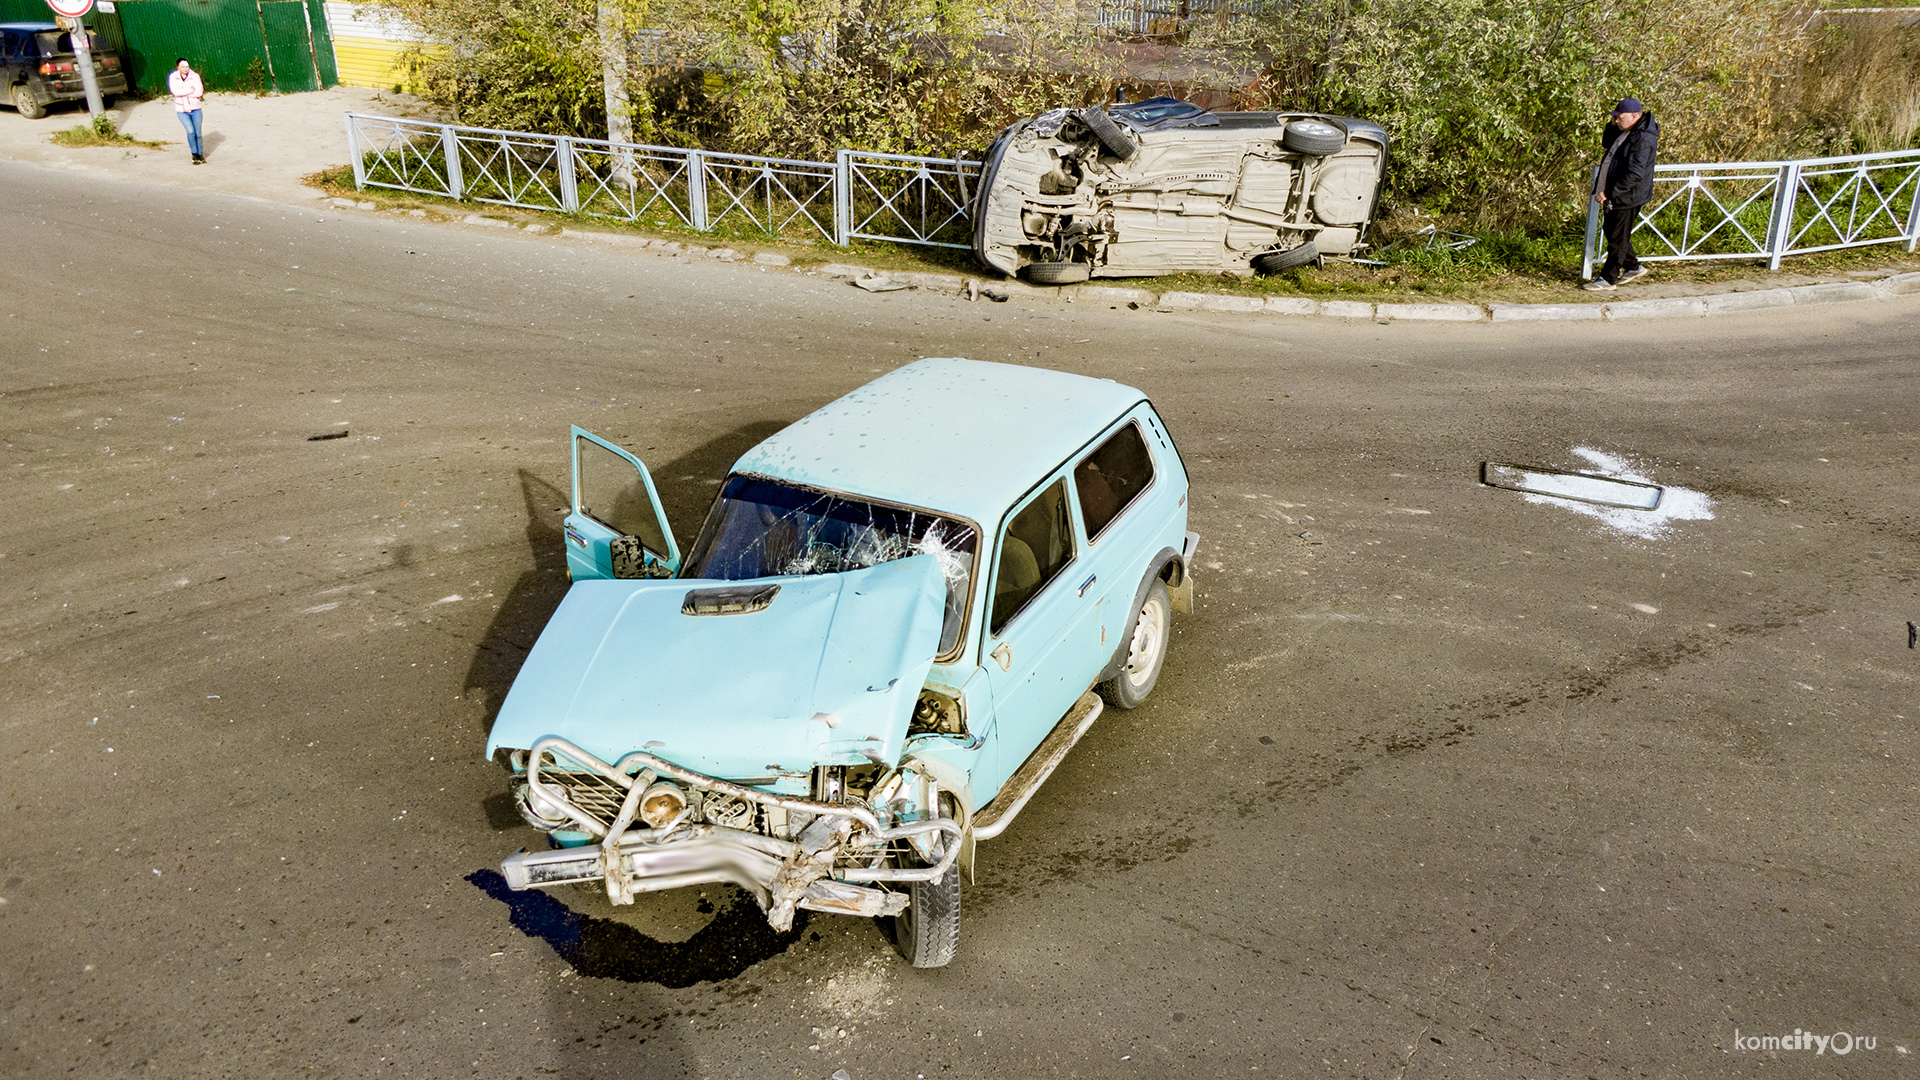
(886, 637)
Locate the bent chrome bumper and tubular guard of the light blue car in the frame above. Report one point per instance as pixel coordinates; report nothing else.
(834, 850)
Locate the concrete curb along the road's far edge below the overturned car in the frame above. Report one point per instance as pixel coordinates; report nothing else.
(1385, 312)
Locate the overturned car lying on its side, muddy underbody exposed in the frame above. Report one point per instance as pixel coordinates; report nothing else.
(1168, 187)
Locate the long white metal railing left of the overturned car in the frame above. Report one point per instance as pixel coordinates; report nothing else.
(873, 197)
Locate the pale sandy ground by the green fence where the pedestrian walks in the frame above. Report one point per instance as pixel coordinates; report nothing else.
(256, 147)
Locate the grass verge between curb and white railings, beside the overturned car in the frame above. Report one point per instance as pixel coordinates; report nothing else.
(1500, 268)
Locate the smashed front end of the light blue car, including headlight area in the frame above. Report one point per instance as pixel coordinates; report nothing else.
(654, 825)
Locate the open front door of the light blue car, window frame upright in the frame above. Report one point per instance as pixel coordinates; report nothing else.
(617, 528)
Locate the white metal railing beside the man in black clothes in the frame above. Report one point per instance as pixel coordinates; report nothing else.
(1771, 210)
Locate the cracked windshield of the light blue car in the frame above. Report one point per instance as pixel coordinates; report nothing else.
(765, 529)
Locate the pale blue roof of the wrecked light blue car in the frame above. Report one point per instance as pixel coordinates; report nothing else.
(961, 437)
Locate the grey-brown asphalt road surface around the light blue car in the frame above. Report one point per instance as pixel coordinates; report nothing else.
(1437, 783)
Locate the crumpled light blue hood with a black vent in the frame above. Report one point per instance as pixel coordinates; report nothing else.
(825, 675)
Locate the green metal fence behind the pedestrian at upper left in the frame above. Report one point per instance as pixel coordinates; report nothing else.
(235, 45)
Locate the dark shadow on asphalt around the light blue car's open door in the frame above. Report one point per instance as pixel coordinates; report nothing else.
(686, 487)
